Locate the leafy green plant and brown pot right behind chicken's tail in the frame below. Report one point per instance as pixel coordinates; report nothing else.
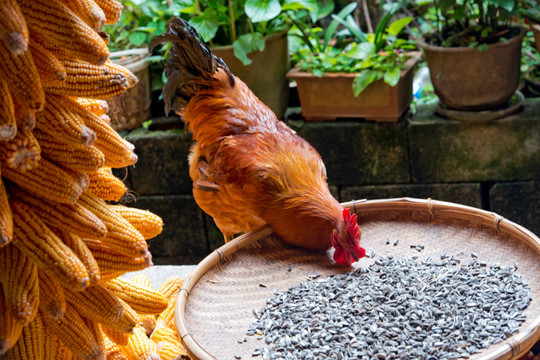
(251, 37)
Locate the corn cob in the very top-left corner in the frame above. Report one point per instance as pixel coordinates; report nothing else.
(13, 30)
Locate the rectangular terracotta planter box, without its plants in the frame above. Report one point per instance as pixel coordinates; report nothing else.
(331, 96)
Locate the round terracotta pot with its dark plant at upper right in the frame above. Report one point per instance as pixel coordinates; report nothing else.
(473, 53)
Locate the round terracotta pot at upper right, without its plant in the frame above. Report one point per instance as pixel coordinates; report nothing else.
(469, 79)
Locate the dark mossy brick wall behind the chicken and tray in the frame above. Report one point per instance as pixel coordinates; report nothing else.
(494, 165)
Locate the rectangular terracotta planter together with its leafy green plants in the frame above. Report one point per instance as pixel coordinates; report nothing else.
(353, 74)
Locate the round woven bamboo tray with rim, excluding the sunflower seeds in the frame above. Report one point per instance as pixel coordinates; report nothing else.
(214, 307)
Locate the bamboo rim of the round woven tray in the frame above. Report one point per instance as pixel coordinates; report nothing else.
(513, 348)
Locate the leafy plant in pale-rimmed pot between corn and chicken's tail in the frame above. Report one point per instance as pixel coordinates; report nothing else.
(141, 20)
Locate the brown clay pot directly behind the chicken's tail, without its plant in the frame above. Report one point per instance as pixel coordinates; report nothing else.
(265, 76)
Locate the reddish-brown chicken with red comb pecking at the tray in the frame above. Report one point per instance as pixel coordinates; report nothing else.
(248, 168)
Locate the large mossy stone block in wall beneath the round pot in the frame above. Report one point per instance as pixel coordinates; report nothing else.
(444, 150)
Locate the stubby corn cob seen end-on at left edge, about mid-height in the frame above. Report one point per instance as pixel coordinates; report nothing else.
(23, 152)
